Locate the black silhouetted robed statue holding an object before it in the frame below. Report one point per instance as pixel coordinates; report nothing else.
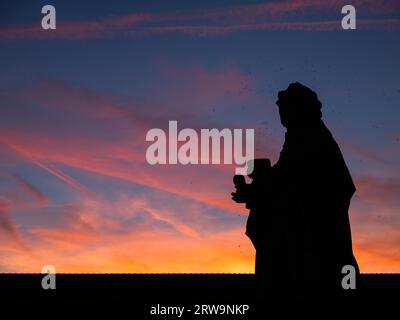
(298, 218)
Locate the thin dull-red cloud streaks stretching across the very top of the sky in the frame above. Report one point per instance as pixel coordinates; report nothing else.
(304, 15)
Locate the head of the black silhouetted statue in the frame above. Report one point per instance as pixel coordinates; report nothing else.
(298, 106)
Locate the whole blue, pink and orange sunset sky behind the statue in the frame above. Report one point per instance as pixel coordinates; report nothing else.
(76, 103)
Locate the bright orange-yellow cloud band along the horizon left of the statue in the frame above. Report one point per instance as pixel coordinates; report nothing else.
(154, 252)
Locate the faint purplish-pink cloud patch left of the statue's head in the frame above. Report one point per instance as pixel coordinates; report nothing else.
(202, 89)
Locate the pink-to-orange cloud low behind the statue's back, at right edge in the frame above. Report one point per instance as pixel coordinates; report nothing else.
(376, 225)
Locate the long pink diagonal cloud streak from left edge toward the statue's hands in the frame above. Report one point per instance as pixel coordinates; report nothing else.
(135, 169)
